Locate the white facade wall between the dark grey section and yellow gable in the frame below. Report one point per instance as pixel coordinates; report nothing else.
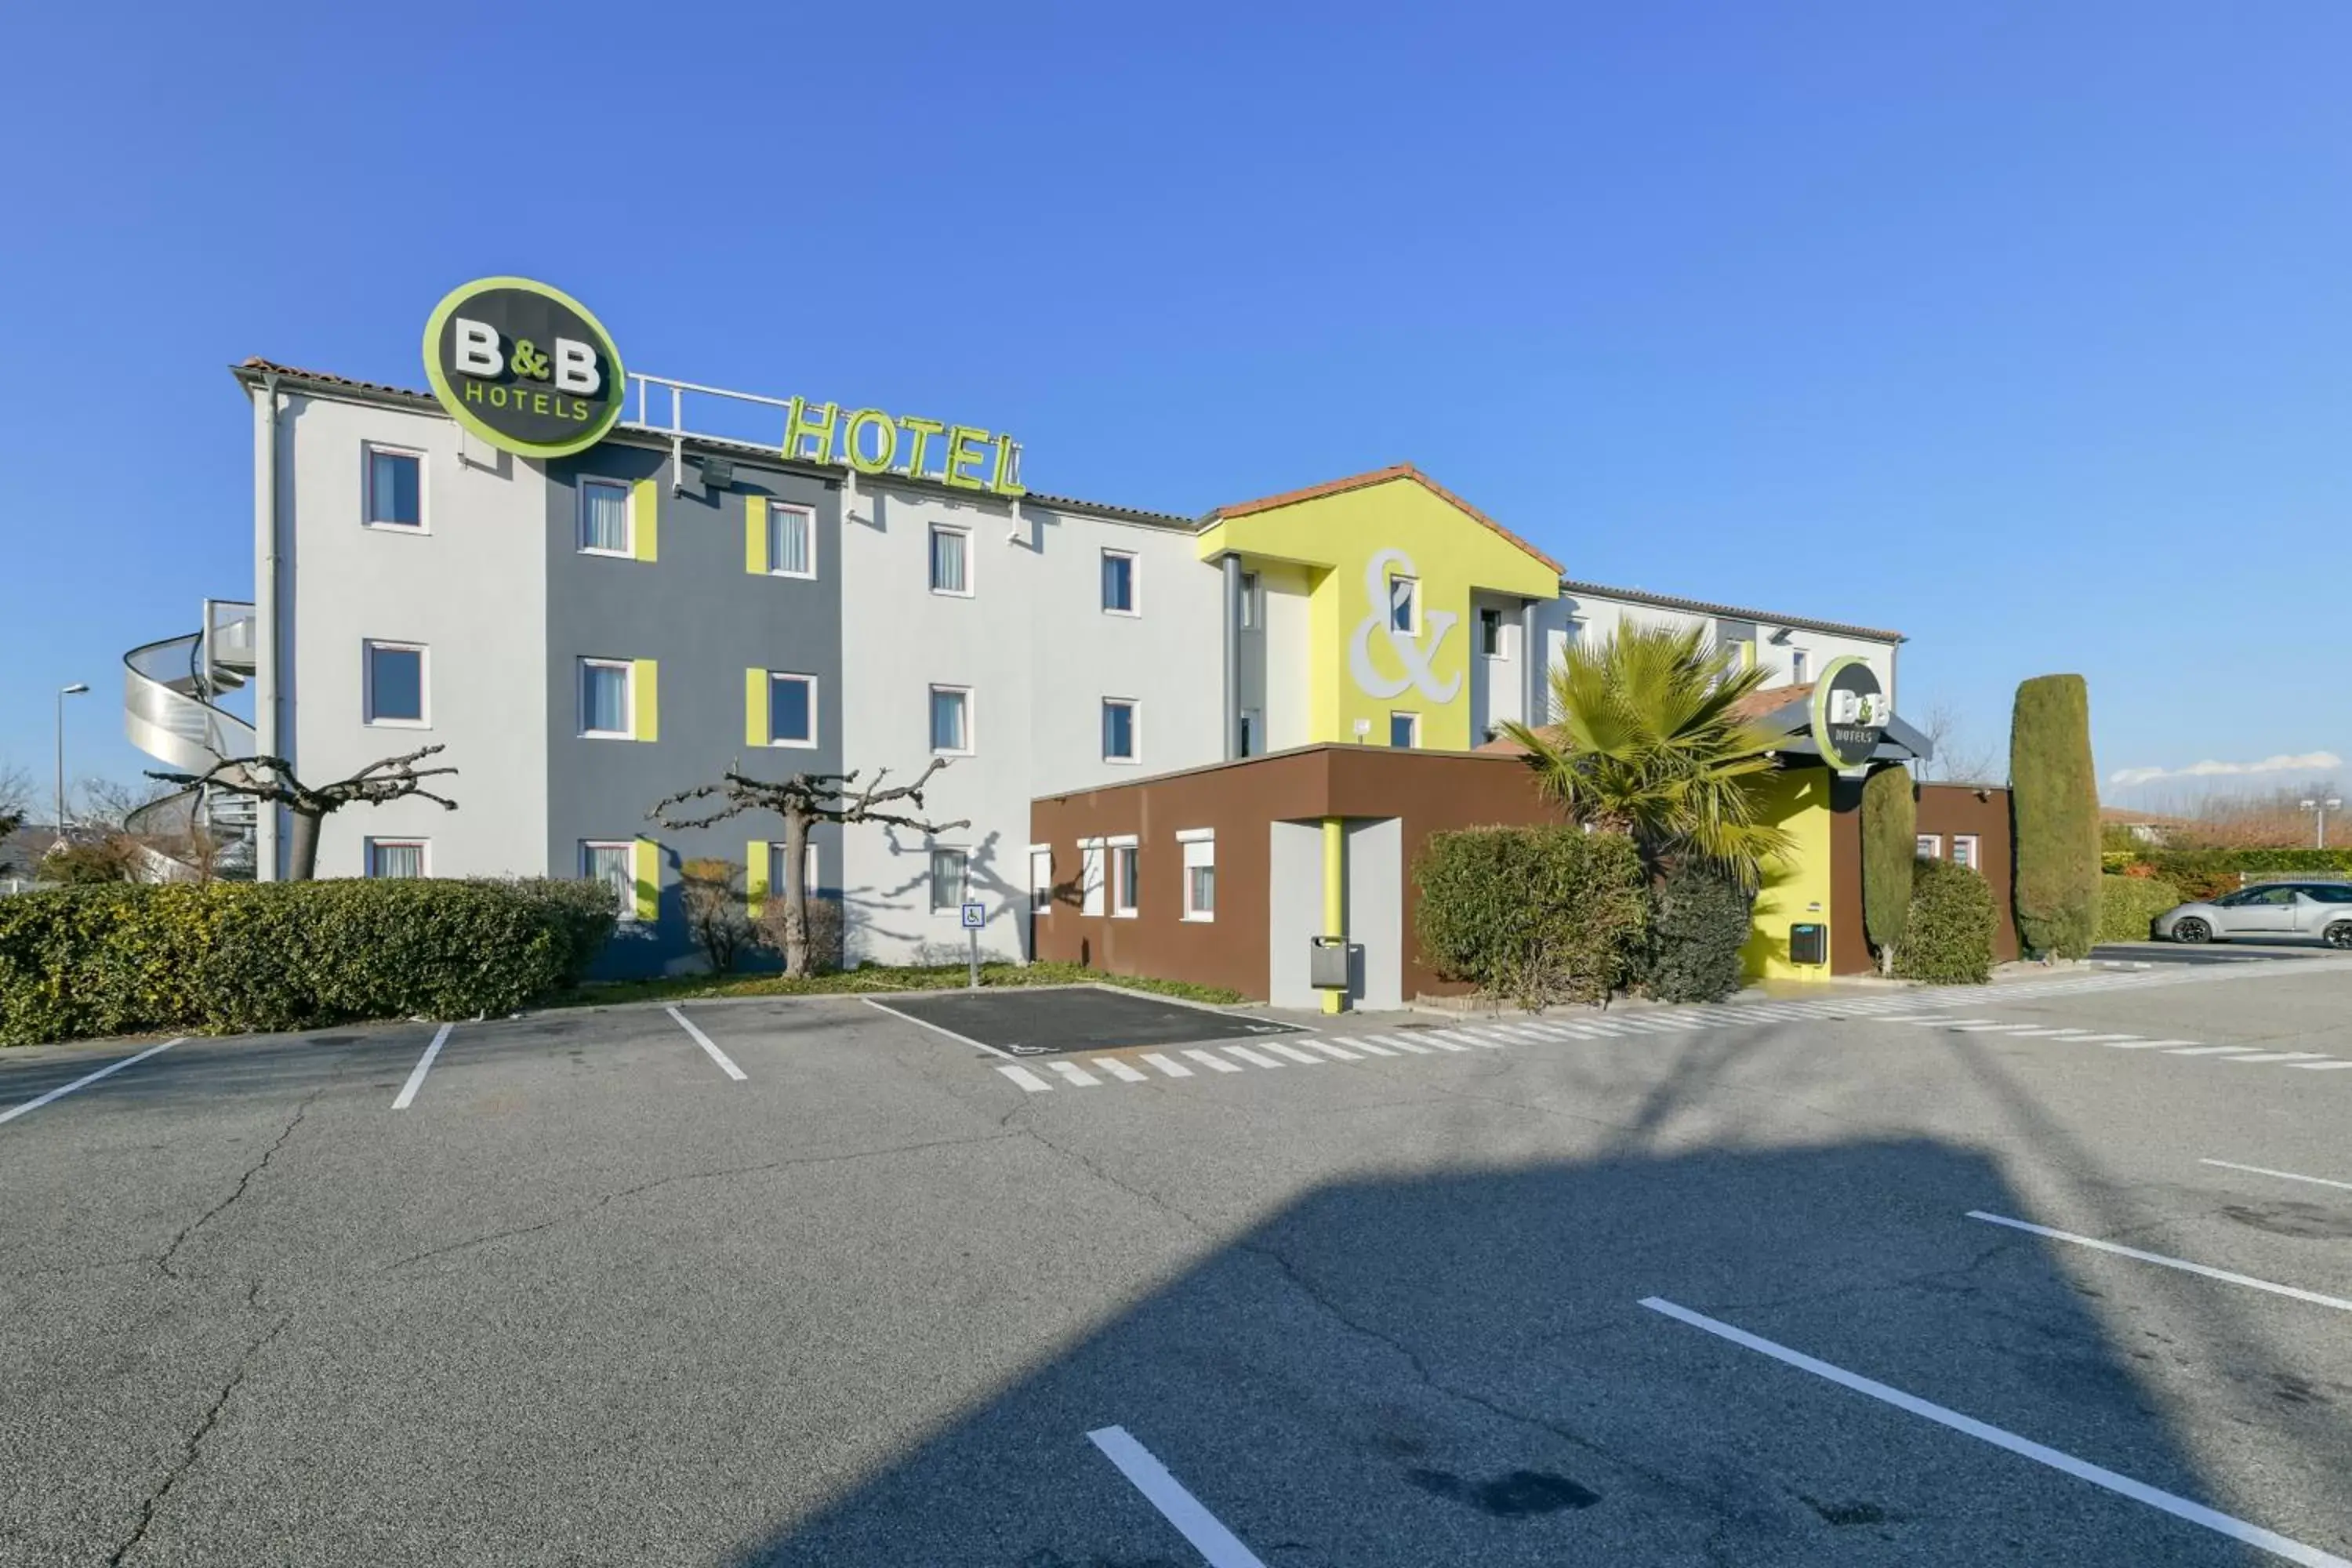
(1038, 657)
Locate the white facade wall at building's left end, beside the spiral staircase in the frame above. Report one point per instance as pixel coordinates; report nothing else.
(469, 587)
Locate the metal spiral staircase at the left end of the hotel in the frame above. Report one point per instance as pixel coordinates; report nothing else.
(171, 711)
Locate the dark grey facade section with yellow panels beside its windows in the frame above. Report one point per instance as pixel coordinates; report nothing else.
(707, 622)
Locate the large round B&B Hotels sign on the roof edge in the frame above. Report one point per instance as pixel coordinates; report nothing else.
(526, 368)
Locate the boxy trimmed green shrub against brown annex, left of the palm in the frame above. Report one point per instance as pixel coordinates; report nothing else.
(1532, 913)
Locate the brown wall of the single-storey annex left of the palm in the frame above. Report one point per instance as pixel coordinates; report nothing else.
(1429, 791)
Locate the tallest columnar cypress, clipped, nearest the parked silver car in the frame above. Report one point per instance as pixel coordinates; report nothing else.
(2054, 815)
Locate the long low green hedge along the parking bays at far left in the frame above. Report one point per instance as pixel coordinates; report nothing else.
(286, 956)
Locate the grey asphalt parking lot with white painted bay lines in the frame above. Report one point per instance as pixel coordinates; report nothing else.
(2052, 1273)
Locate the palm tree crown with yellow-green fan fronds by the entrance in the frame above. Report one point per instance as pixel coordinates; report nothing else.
(1655, 742)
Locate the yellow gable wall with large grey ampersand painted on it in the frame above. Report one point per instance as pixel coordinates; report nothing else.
(1358, 671)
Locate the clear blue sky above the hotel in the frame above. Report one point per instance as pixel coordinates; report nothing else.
(2019, 328)
